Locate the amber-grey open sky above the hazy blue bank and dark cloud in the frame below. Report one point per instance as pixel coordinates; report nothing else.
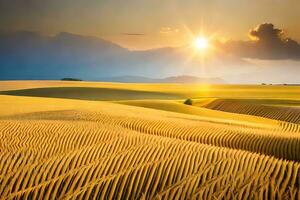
(146, 24)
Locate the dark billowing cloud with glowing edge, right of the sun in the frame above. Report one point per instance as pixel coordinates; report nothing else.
(267, 42)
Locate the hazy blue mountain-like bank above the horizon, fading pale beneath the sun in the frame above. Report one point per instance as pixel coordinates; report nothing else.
(30, 55)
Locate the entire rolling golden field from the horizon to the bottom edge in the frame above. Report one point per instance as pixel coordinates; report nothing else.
(80, 140)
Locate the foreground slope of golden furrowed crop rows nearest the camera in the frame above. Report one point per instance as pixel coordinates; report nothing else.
(129, 164)
